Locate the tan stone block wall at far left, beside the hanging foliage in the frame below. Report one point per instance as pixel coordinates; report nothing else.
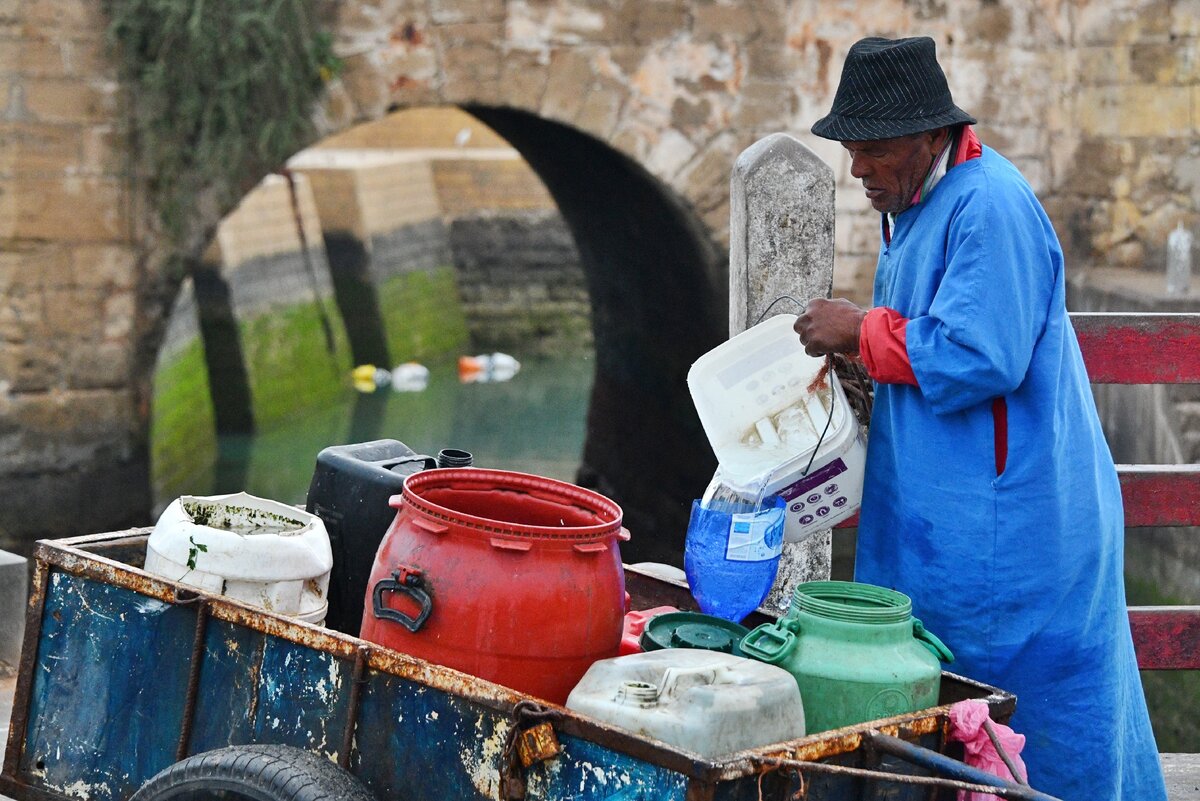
(73, 408)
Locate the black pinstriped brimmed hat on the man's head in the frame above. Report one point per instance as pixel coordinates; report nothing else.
(890, 88)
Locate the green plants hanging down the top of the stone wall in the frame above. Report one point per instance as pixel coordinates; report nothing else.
(221, 92)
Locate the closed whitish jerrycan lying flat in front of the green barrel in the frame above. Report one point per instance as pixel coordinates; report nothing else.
(704, 702)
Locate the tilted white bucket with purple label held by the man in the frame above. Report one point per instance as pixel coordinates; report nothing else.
(767, 430)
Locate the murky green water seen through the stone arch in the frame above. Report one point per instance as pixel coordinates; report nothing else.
(533, 424)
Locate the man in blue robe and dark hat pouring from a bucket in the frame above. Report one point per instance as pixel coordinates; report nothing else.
(991, 496)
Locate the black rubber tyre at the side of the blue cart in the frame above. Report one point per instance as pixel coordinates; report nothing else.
(260, 773)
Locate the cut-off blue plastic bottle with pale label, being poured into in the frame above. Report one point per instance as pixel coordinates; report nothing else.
(731, 556)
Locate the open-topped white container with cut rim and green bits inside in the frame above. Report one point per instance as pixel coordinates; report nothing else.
(257, 551)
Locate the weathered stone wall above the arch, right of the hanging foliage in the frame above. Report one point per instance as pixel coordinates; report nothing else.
(1094, 100)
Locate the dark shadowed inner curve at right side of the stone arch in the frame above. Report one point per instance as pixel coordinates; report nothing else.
(658, 303)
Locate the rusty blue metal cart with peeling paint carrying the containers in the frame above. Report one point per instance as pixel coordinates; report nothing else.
(135, 688)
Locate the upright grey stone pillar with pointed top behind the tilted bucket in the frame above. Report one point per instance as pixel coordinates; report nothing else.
(782, 245)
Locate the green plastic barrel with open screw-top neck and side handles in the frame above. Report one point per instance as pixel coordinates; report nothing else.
(856, 653)
